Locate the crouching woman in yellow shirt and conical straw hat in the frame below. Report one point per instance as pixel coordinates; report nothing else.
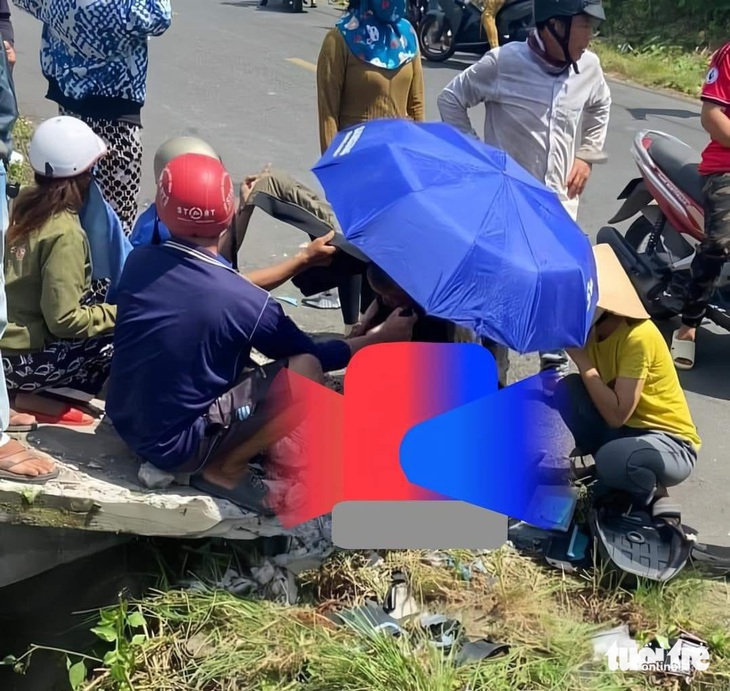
(626, 408)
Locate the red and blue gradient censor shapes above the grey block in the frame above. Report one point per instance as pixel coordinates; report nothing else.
(418, 422)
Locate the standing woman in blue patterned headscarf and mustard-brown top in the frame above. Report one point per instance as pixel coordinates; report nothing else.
(369, 67)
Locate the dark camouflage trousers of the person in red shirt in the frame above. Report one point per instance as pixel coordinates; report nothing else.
(712, 252)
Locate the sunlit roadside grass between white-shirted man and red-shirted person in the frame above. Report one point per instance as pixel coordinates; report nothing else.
(655, 65)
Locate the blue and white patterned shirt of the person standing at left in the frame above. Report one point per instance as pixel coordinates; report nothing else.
(98, 48)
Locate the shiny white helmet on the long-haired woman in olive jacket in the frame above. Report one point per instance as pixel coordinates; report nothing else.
(64, 147)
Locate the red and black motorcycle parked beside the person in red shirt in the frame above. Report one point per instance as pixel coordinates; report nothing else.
(658, 248)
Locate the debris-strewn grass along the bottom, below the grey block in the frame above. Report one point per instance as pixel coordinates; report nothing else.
(213, 641)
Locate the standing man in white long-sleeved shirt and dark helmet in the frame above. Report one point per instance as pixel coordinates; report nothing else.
(547, 105)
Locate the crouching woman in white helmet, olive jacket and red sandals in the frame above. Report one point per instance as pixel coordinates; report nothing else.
(59, 330)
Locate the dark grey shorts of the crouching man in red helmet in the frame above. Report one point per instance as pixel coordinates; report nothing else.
(238, 414)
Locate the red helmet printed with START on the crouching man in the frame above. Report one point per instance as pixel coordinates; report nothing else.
(195, 196)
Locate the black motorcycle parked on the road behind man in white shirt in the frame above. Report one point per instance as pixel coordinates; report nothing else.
(441, 35)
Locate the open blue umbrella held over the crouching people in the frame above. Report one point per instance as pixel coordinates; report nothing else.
(470, 235)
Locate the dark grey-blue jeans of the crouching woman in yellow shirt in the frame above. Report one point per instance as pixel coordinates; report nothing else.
(627, 459)
